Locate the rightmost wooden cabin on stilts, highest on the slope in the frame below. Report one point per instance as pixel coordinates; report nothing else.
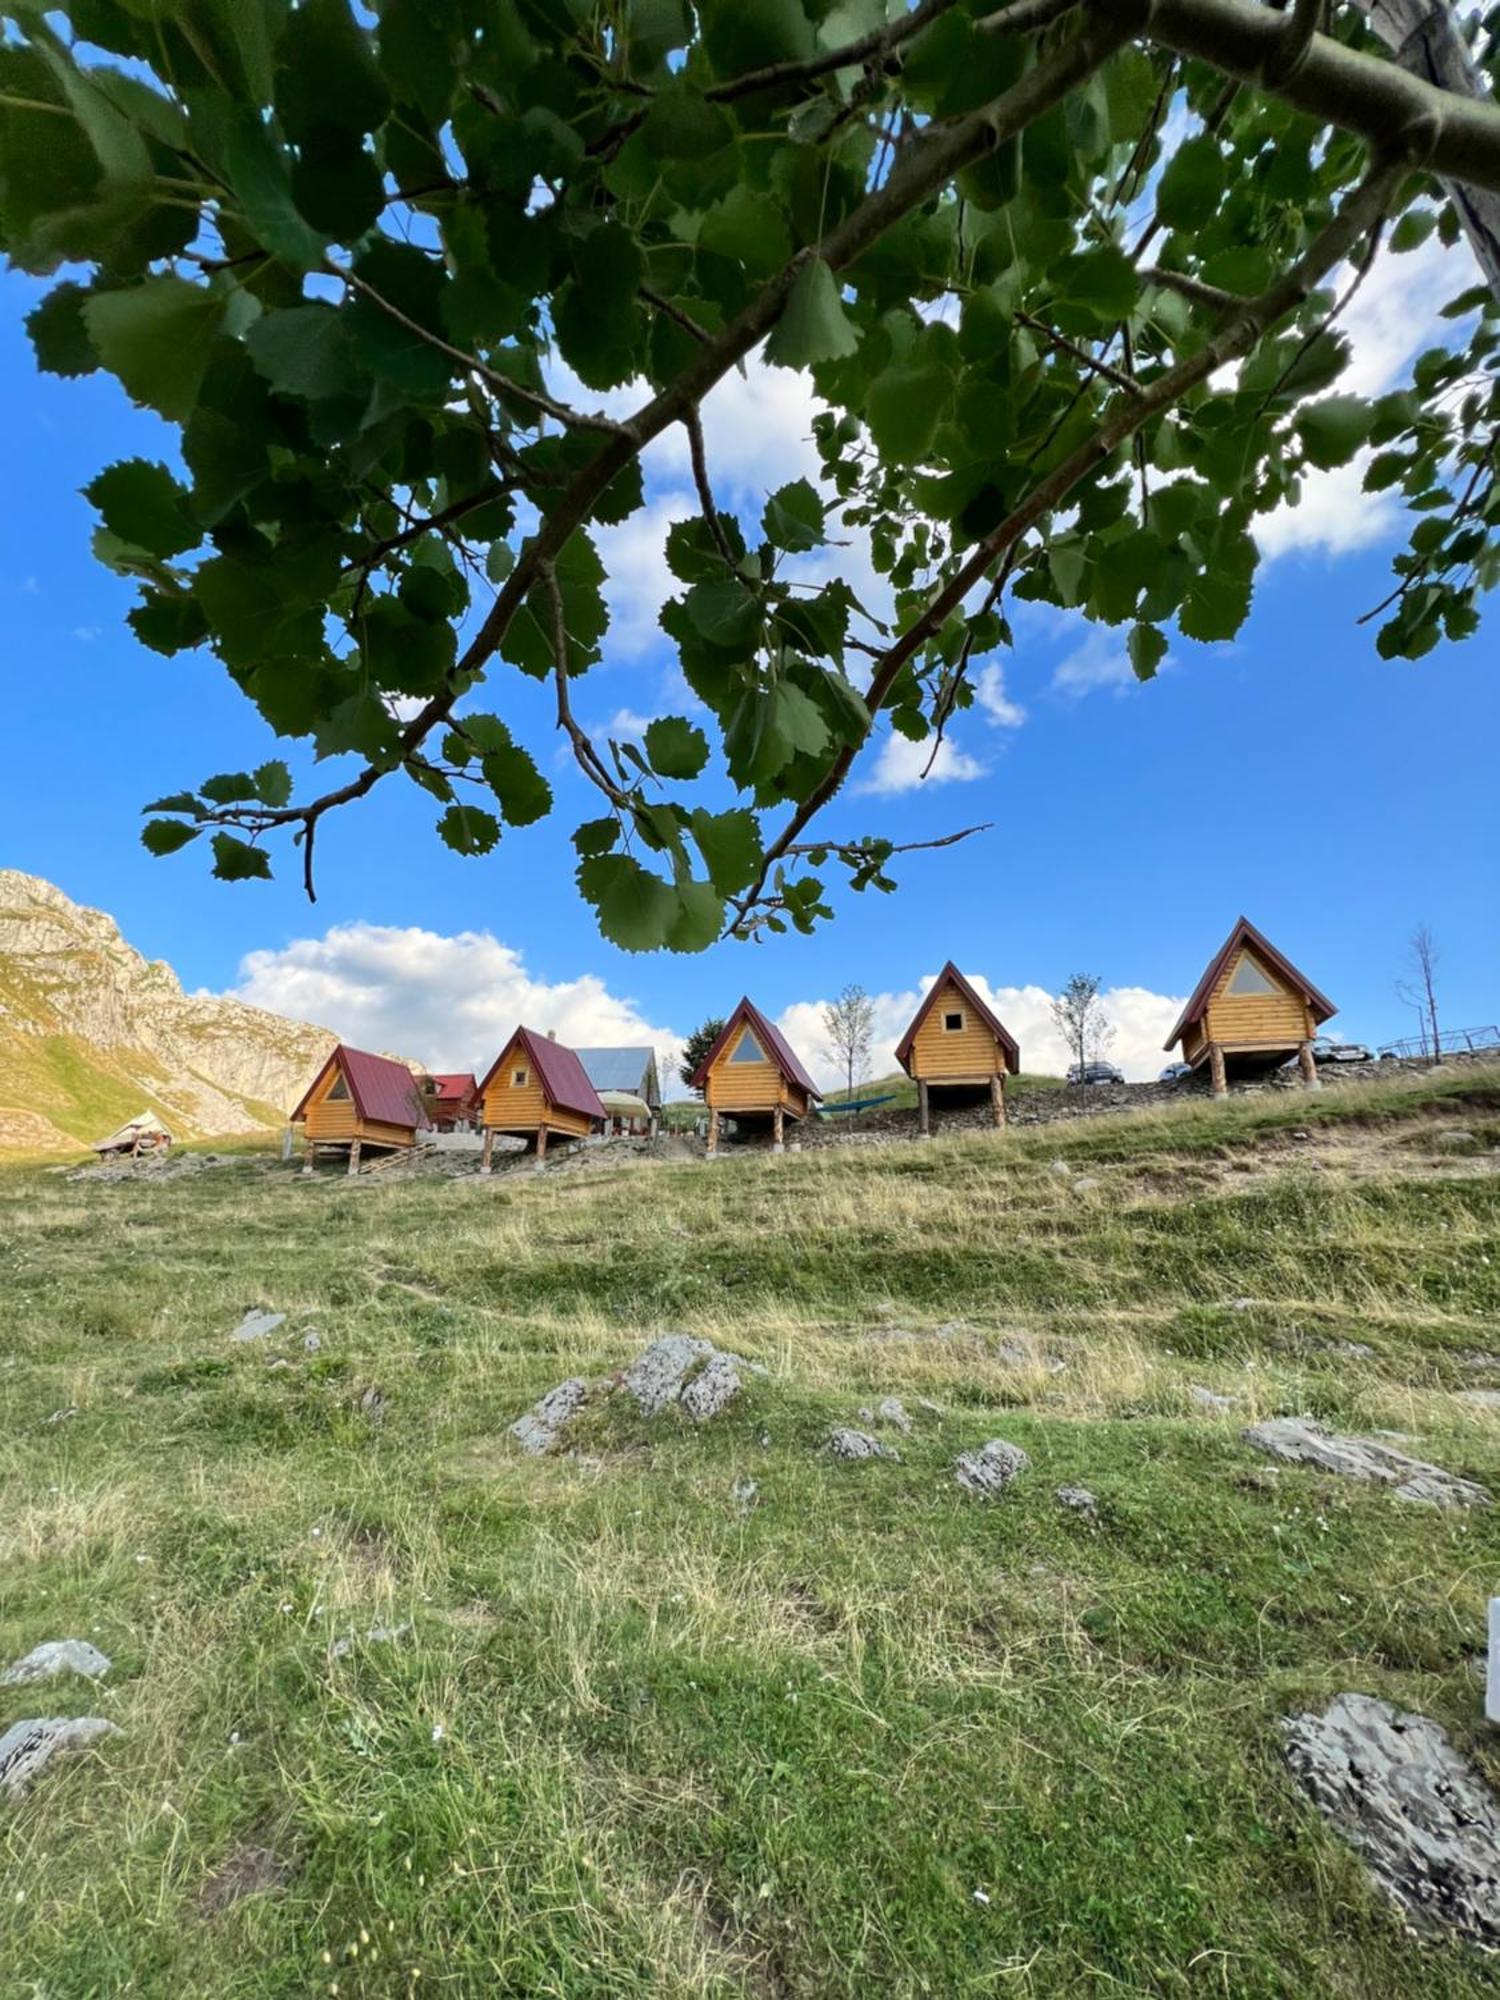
(1251, 1011)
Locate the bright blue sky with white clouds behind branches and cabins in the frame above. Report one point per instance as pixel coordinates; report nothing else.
(1333, 797)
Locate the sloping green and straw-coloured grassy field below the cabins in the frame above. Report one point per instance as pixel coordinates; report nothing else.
(873, 1735)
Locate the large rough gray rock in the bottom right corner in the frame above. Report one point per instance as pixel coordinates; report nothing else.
(1419, 1817)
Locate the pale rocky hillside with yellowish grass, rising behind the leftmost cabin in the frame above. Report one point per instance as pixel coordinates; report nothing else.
(93, 1033)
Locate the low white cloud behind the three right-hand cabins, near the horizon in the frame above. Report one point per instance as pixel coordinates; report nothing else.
(1141, 1025)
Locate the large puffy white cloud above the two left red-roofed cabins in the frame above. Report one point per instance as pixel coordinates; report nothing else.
(445, 1001)
